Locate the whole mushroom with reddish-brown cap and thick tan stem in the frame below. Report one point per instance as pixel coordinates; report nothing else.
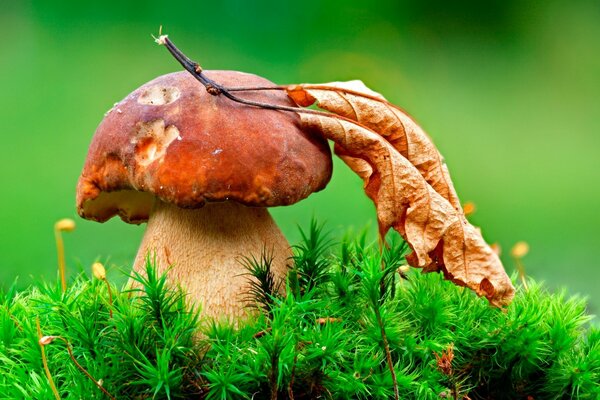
(201, 170)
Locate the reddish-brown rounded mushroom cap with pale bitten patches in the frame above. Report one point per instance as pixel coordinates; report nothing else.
(172, 140)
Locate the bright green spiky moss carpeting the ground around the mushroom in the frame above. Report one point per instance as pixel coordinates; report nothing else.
(348, 320)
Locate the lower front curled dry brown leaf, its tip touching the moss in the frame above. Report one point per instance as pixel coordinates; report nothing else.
(438, 233)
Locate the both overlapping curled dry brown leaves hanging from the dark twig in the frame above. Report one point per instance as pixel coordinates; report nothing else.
(412, 191)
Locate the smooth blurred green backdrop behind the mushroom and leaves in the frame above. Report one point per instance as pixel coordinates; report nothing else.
(509, 91)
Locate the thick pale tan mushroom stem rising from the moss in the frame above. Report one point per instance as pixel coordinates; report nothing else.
(202, 248)
